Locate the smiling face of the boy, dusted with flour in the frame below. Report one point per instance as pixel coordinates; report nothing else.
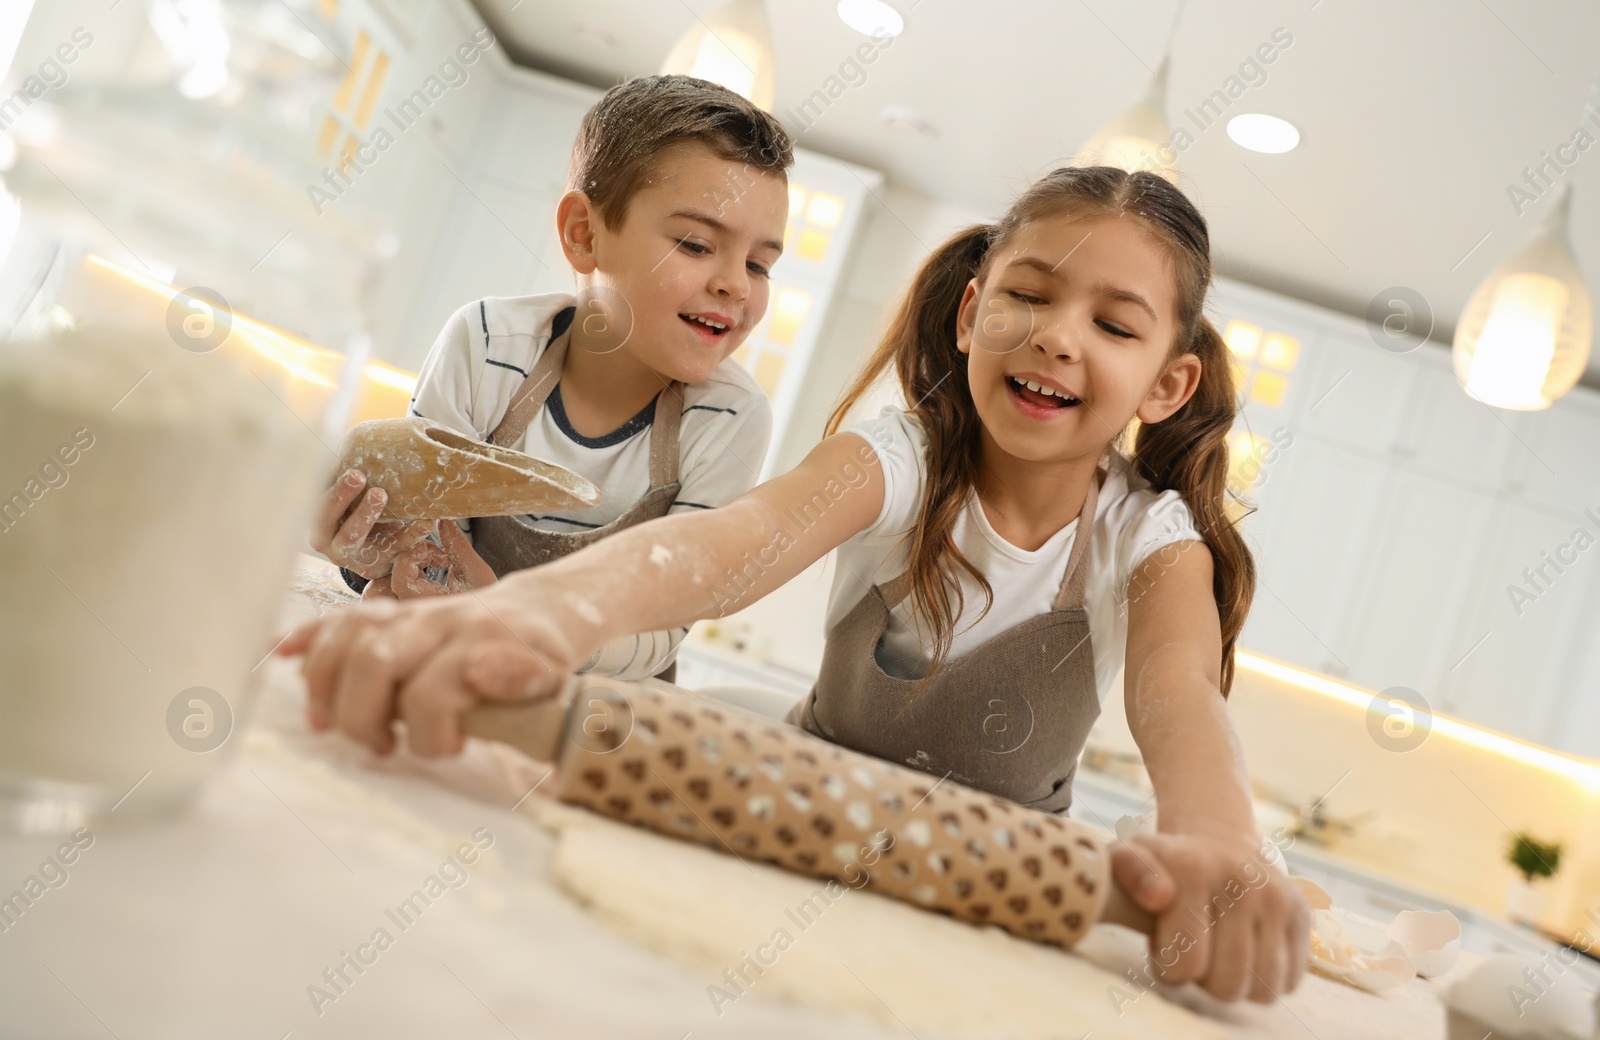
(690, 262)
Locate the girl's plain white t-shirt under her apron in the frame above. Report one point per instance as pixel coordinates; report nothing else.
(1132, 521)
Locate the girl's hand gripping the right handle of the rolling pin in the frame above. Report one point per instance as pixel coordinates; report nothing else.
(1225, 916)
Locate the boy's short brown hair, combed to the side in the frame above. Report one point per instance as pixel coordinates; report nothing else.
(628, 130)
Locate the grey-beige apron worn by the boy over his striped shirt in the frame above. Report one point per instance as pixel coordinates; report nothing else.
(511, 543)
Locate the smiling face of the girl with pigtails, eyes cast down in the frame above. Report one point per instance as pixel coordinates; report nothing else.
(1084, 311)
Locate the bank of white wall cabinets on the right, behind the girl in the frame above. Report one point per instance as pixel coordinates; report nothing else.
(1391, 527)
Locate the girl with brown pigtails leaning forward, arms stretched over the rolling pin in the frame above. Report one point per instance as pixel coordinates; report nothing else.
(988, 543)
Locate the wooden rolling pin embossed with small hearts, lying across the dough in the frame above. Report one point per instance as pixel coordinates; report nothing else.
(689, 767)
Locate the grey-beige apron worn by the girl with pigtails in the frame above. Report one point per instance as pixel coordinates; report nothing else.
(1007, 718)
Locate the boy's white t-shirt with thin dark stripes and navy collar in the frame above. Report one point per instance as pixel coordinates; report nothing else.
(486, 353)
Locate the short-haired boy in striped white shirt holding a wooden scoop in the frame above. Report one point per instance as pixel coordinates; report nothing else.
(674, 215)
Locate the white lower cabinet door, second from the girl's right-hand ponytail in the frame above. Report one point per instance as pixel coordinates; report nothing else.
(1410, 583)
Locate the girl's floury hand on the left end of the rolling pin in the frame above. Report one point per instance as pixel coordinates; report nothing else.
(428, 662)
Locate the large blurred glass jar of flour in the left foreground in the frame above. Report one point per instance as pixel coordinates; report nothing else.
(185, 337)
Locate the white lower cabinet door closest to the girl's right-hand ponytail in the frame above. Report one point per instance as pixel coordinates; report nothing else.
(1310, 553)
